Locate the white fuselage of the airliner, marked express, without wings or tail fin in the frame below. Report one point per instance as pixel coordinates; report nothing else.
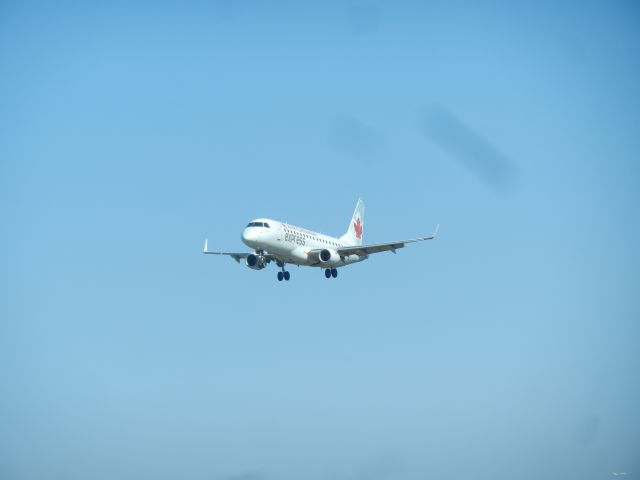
(292, 243)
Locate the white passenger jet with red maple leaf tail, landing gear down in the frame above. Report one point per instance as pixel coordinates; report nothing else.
(283, 243)
